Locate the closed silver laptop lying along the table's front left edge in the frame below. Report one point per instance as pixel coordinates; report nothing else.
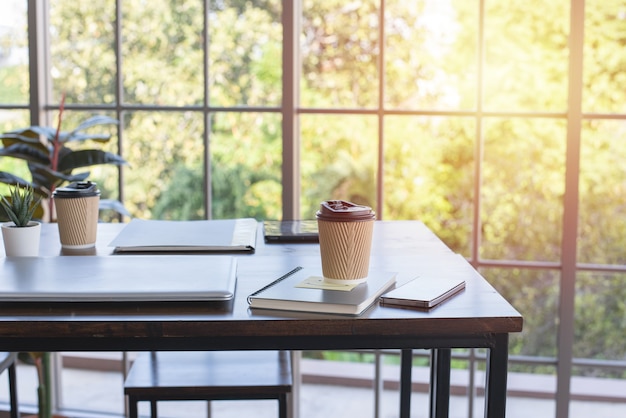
(117, 278)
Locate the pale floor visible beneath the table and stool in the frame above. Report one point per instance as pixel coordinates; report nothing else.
(102, 391)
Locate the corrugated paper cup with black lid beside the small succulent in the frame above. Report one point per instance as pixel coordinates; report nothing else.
(77, 208)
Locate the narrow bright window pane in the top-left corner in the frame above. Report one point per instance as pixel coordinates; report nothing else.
(14, 83)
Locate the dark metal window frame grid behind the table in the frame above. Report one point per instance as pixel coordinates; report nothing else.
(41, 110)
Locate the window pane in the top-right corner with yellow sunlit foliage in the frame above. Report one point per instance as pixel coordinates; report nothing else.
(604, 84)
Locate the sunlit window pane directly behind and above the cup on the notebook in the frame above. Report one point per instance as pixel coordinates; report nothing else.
(338, 159)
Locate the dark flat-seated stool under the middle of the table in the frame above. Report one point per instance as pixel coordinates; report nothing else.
(207, 376)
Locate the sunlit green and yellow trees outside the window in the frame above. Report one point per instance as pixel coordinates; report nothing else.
(432, 165)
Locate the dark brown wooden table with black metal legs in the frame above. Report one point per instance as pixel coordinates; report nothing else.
(479, 317)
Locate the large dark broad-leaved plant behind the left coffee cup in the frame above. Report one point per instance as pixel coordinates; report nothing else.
(52, 161)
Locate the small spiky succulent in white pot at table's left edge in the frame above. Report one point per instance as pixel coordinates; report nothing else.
(21, 235)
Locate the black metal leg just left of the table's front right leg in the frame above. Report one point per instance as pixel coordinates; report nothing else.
(440, 383)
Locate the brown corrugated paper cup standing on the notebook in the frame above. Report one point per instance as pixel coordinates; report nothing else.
(345, 235)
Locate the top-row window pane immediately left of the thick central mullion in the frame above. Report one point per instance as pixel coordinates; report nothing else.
(245, 53)
